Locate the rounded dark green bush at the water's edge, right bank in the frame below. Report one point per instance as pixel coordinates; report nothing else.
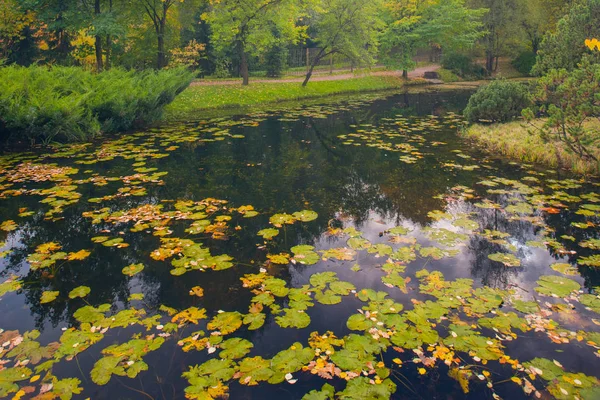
(499, 101)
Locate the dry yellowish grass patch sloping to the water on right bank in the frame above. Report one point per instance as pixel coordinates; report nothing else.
(517, 140)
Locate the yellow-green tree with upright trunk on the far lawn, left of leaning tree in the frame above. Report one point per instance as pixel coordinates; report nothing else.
(239, 23)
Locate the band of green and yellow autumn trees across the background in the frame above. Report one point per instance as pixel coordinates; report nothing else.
(237, 38)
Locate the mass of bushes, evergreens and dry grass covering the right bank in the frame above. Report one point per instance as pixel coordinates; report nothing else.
(562, 119)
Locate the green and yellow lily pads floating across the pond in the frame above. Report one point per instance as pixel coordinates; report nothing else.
(455, 326)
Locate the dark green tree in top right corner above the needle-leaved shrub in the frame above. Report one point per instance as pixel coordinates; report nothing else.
(565, 47)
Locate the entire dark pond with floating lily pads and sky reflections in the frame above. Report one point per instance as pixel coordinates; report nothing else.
(356, 249)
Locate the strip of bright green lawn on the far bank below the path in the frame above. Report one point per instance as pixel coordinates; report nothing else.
(198, 98)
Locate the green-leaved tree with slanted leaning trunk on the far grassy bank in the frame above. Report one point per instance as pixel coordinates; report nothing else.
(347, 27)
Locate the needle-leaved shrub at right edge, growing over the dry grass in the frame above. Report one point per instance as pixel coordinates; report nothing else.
(570, 100)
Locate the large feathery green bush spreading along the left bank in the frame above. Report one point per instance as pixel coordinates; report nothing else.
(41, 104)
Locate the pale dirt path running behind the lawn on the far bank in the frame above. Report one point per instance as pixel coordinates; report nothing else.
(416, 73)
